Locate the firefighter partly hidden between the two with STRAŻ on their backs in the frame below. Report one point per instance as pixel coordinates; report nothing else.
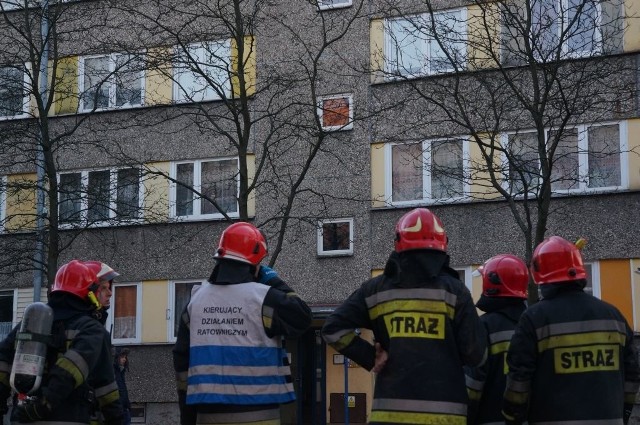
(505, 278)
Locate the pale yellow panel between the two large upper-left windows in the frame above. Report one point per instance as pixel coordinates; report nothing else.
(158, 84)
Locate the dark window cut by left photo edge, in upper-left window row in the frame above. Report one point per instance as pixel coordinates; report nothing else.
(14, 98)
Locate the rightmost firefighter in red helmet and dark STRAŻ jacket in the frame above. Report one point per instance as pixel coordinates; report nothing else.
(571, 359)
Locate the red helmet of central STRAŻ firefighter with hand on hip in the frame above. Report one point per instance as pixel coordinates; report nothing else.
(420, 229)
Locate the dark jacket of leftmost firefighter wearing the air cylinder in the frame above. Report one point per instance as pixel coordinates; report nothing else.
(80, 352)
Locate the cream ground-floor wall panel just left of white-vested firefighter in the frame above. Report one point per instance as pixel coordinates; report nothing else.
(154, 311)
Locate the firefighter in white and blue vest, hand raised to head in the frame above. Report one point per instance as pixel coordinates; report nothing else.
(229, 360)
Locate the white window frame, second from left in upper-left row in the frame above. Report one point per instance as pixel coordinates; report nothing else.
(112, 59)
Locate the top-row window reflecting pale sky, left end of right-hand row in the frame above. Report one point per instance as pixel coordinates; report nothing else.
(418, 46)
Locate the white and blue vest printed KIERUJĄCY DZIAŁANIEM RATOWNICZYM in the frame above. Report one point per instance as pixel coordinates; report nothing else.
(232, 360)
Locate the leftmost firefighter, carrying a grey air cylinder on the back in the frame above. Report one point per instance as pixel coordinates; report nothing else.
(79, 352)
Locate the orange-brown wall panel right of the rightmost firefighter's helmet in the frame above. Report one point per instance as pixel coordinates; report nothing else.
(615, 285)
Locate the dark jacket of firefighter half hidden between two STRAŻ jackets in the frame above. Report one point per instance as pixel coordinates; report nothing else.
(486, 383)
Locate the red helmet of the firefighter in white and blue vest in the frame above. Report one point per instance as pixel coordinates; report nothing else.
(242, 242)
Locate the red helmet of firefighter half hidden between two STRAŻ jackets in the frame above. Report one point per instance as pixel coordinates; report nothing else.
(504, 275)
